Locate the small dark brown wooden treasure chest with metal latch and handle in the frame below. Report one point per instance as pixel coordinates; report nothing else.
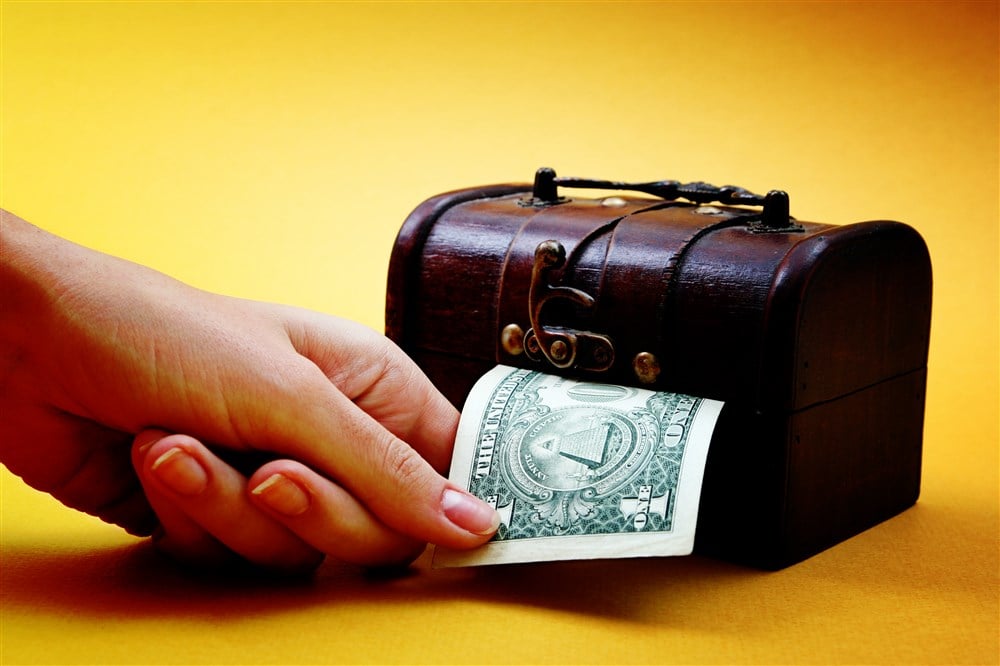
(815, 336)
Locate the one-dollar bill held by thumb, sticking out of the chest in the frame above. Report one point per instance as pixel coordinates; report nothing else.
(579, 470)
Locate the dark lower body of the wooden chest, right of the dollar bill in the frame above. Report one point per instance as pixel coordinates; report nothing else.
(779, 488)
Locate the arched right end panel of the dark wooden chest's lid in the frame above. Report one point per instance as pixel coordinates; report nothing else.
(848, 308)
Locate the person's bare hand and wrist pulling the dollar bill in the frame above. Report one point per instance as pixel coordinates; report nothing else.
(221, 426)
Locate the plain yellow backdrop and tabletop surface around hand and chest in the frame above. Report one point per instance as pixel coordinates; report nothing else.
(272, 150)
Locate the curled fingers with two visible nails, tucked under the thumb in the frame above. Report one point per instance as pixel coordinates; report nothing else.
(287, 517)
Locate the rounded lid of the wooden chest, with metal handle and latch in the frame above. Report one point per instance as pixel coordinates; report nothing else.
(736, 301)
